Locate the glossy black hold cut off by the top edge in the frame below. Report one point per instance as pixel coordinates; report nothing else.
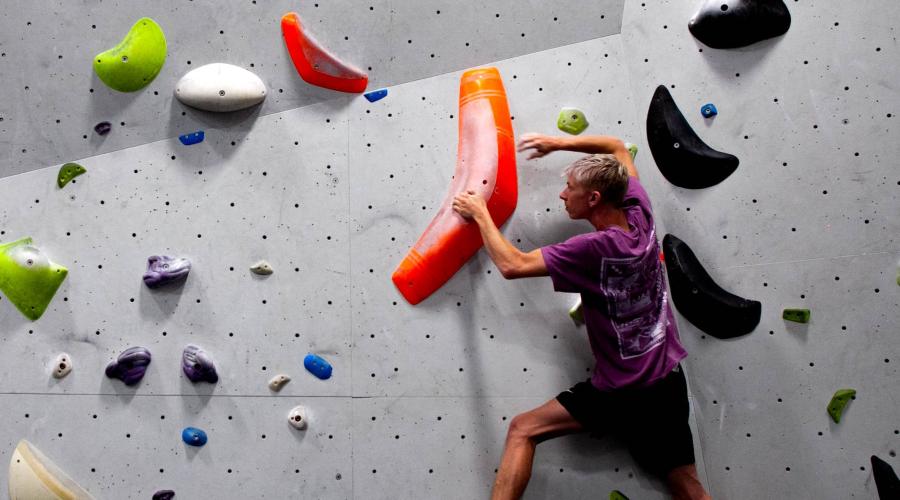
(729, 24)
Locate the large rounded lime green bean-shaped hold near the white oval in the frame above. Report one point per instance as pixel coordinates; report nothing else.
(136, 61)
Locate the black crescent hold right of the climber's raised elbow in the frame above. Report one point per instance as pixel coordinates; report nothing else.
(682, 157)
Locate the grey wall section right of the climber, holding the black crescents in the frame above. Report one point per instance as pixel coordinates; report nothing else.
(808, 220)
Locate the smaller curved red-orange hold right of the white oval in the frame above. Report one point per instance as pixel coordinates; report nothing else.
(315, 64)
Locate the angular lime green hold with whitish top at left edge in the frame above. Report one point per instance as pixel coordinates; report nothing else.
(28, 278)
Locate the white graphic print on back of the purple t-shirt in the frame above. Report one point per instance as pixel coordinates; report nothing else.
(636, 300)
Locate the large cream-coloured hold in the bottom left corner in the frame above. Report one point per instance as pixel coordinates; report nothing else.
(32, 476)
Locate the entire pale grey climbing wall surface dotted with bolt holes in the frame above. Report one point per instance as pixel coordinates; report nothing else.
(332, 190)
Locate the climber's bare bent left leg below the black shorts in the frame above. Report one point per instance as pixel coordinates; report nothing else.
(525, 432)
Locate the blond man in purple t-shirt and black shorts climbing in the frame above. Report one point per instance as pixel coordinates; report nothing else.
(637, 390)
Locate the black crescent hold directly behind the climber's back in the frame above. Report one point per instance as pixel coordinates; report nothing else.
(703, 302)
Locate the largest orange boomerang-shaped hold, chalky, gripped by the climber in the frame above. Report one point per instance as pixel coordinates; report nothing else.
(485, 163)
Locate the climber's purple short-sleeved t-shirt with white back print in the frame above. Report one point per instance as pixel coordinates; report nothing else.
(623, 291)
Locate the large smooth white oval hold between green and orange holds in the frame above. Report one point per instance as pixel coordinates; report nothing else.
(220, 87)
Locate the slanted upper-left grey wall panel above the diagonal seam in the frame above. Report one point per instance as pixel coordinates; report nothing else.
(47, 48)
